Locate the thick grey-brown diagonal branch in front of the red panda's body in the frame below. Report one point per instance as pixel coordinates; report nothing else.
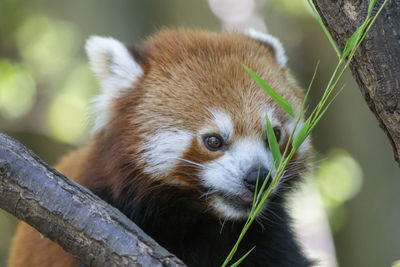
(84, 225)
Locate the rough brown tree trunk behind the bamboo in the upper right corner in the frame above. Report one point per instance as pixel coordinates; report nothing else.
(376, 64)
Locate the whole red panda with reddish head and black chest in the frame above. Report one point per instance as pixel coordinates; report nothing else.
(179, 141)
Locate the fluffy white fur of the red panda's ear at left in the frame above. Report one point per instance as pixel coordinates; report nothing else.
(116, 70)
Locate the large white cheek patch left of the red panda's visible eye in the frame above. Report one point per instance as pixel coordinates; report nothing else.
(164, 151)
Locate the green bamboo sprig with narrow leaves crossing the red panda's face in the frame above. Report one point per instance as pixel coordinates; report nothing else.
(295, 140)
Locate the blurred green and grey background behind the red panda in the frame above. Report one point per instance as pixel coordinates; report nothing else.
(353, 193)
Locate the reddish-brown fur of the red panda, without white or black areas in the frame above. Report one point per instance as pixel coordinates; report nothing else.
(179, 87)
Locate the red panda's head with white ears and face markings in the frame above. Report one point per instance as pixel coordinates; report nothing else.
(180, 111)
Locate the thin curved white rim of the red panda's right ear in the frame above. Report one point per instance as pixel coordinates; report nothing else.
(272, 41)
